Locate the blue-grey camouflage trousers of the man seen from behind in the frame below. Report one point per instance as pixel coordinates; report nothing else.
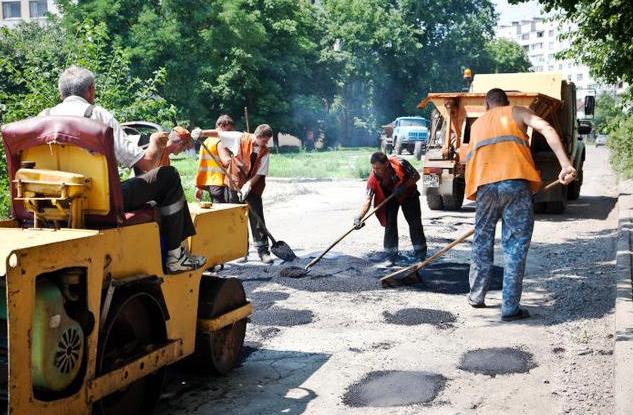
(510, 201)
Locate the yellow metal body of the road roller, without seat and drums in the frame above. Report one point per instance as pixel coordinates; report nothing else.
(118, 254)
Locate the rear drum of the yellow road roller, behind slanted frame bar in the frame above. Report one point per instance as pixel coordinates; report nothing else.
(135, 325)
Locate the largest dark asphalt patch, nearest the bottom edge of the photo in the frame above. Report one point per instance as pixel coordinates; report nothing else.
(394, 388)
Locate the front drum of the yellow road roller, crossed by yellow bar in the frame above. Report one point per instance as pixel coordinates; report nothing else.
(220, 351)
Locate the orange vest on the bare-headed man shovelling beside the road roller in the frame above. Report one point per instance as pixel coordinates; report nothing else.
(241, 168)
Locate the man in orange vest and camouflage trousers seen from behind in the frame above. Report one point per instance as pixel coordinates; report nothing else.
(501, 177)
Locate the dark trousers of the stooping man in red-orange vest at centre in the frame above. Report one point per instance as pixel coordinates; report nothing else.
(413, 215)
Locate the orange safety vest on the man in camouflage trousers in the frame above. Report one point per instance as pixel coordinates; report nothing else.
(498, 150)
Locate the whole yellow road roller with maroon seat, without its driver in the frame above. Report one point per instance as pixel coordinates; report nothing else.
(89, 320)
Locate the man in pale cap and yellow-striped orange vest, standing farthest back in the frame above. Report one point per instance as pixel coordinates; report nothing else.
(209, 176)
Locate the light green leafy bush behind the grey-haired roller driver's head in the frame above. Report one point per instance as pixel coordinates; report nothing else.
(33, 56)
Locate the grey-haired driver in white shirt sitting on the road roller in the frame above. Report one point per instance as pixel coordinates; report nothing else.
(159, 184)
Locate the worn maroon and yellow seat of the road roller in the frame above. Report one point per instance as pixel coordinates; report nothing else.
(71, 145)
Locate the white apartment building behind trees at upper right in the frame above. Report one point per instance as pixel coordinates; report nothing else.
(541, 39)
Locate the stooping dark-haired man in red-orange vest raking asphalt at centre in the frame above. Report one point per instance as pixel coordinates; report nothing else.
(395, 175)
